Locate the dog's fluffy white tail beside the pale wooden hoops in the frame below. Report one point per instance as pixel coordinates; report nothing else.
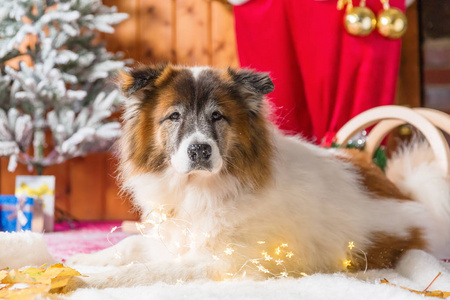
(415, 171)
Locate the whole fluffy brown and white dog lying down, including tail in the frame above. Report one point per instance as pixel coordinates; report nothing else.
(198, 149)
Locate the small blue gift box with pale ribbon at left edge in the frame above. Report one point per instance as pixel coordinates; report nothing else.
(15, 213)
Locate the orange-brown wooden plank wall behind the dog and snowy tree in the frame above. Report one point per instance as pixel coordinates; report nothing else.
(190, 32)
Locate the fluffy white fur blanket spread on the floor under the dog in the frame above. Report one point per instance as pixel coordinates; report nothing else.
(416, 271)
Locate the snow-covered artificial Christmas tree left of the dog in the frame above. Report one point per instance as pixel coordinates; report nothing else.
(62, 85)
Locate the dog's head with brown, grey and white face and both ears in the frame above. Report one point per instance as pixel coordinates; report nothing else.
(195, 120)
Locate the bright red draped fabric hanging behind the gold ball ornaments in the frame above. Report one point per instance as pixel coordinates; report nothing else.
(323, 76)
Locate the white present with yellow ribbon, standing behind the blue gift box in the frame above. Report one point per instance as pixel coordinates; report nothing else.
(42, 189)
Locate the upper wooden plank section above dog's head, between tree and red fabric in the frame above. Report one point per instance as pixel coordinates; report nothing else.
(191, 32)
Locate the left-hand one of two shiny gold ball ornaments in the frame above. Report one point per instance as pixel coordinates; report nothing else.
(360, 21)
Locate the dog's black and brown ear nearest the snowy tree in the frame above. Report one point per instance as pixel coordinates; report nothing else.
(143, 78)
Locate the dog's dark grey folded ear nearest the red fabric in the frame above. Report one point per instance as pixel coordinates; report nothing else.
(253, 86)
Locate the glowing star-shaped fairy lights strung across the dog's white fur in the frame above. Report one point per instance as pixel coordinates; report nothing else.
(277, 256)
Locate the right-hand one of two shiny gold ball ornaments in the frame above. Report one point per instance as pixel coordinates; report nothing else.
(392, 23)
